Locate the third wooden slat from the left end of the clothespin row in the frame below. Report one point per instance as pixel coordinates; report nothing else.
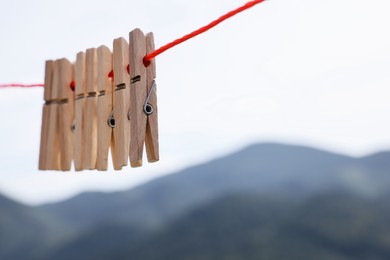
(66, 113)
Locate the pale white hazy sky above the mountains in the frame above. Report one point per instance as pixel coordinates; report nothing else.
(311, 72)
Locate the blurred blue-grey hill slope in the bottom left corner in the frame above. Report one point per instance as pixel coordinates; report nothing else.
(28, 228)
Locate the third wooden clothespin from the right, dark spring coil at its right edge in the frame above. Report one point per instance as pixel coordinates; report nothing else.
(106, 120)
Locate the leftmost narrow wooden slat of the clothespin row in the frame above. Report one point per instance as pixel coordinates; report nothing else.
(45, 114)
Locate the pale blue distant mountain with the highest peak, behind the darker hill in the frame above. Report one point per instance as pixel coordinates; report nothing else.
(284, 169)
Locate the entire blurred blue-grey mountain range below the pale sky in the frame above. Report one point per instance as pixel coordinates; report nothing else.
(278, 183)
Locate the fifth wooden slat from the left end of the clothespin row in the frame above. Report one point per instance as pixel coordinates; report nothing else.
(90, 113)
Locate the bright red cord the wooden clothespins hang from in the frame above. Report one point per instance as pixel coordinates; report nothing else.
(152, 55)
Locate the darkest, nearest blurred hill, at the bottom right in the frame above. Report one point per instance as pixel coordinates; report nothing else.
(247, 226)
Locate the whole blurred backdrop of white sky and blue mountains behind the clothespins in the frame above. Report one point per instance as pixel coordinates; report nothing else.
(273, 131)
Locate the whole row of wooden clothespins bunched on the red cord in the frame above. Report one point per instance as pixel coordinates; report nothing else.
(111, 106)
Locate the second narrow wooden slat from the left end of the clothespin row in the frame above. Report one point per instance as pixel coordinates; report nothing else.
(53, 145)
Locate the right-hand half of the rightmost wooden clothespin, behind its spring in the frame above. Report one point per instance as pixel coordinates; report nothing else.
(151, 138)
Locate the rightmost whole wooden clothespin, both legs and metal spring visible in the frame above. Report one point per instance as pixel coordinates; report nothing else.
(143, 104)
